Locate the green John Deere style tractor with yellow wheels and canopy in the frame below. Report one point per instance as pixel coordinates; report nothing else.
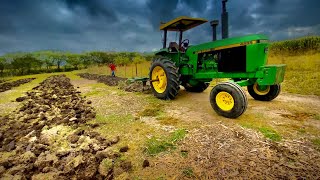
(241, 59)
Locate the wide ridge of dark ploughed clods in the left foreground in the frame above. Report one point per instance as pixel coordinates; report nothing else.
(46, 138)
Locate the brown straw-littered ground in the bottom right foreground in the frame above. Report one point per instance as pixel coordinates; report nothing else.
(224, 153)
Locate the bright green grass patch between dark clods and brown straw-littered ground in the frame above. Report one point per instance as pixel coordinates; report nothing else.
(157, 145)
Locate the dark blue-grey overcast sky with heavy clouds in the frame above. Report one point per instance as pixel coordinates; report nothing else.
(133, 25)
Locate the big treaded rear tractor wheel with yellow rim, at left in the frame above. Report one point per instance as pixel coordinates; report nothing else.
(164, 77)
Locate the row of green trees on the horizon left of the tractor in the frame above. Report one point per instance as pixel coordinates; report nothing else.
(12, 64)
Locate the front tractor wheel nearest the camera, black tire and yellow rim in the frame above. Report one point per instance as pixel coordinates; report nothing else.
(228, 99)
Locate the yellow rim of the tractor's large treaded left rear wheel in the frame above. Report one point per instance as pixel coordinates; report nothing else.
(159, 79)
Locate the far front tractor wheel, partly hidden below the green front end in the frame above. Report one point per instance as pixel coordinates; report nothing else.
(269, 94)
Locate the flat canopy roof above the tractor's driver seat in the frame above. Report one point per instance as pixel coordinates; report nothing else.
(182, 23)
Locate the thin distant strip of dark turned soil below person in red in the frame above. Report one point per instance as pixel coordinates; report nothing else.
(108, 80)
